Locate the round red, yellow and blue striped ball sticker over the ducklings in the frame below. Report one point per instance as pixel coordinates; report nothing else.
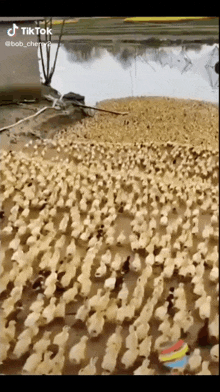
(174, 357)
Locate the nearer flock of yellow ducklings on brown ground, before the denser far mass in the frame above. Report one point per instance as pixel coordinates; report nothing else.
(109, 251)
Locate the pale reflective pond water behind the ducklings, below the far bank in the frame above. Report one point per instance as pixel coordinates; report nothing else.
(118, 70)
